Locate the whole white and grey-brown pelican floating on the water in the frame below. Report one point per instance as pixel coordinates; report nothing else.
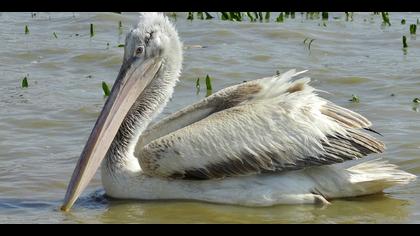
(260, 143)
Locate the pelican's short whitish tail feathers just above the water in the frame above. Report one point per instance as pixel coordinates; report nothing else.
(358, 178)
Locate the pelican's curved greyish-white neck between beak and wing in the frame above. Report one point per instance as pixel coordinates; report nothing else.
(150, 103)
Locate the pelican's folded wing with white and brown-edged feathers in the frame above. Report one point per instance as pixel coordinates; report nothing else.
(268, 125)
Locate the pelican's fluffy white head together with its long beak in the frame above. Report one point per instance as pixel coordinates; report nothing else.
(152, 50)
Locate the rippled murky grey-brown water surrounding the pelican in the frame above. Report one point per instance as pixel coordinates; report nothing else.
(43, 128)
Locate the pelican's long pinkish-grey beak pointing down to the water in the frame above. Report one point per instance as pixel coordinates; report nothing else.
(133, 77)
